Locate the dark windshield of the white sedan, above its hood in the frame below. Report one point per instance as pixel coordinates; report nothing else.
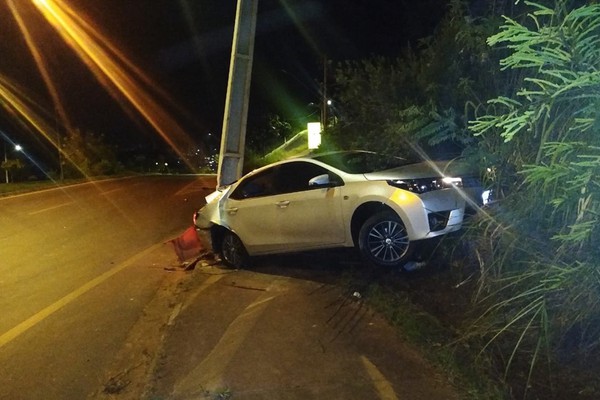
(361, 162)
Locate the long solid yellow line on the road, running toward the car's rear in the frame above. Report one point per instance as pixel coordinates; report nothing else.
(35, 319)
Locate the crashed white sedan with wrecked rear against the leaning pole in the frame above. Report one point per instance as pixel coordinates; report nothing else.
(382, 205)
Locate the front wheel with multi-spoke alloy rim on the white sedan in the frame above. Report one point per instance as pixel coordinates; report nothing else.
(383, 240)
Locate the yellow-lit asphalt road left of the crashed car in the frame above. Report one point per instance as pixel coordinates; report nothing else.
(78, 267)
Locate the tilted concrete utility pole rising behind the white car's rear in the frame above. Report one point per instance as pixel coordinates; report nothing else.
(233, 139)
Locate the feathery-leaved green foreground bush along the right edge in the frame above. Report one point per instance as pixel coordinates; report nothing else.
(539, 289)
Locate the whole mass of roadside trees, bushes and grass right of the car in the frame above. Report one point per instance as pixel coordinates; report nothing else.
(514, 88)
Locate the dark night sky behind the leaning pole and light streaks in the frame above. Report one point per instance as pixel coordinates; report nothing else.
(185, 45)
